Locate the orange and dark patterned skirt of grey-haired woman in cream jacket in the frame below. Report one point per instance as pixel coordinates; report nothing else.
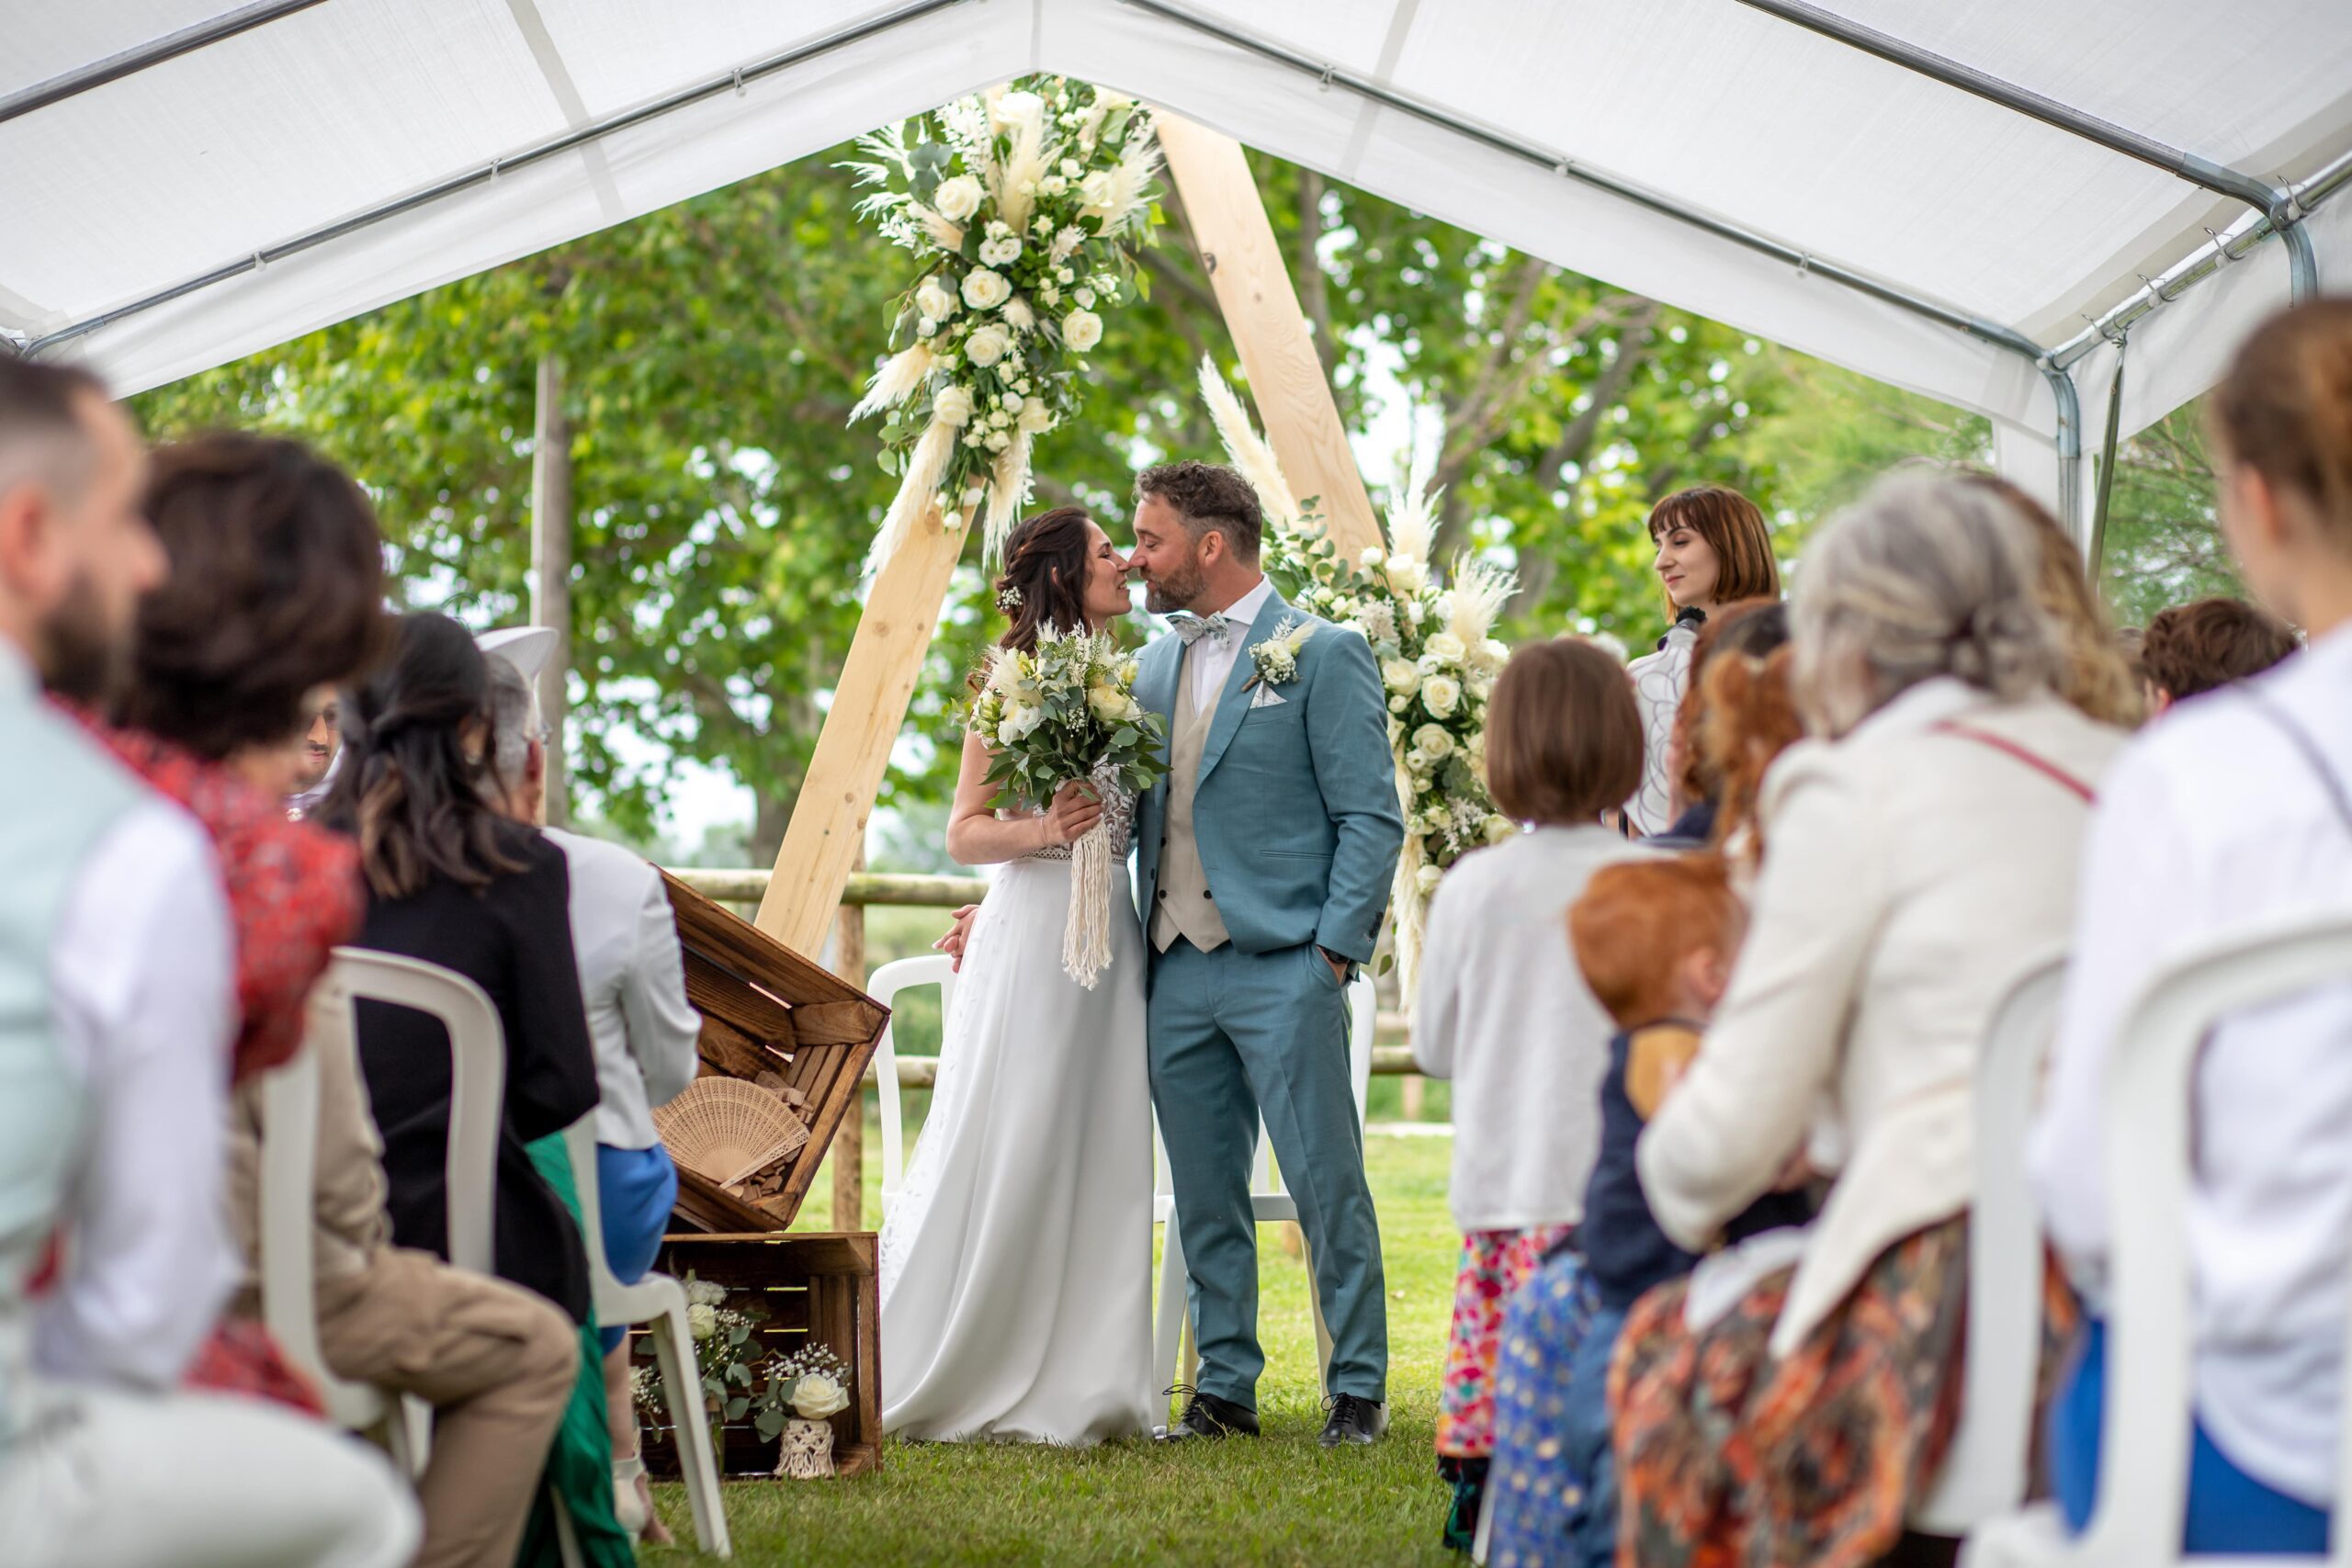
(1730, 1459)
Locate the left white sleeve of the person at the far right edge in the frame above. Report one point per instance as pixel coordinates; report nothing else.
(2134, 880)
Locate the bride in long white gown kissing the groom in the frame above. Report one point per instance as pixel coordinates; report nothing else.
(1017, 1261)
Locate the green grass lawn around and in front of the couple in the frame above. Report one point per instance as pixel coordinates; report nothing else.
(1274, 1501)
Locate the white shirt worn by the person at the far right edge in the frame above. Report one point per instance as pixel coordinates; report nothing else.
(2210, 824)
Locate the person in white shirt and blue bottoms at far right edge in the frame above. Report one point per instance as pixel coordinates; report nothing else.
(2226, 817)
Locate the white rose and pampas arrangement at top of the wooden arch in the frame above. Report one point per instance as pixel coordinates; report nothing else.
(1024, 208)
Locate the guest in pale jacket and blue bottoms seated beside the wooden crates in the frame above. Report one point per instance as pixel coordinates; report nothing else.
(646, 1038)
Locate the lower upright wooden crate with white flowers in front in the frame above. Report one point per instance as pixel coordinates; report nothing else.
(817, 1289)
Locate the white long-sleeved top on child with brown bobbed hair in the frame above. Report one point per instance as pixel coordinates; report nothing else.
(1506, 1014)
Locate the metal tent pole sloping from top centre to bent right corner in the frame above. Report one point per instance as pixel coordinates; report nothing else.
(2069, 424)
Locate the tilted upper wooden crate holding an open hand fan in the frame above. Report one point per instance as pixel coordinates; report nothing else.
(770, 1012)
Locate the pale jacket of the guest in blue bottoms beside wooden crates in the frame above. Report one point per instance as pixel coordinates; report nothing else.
(634, 981)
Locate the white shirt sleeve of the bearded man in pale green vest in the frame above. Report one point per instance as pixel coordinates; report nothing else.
(145, 1003)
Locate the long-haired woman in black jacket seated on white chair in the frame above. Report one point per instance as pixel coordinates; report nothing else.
(457, 885)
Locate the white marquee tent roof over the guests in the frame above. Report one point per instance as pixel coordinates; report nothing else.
(187, 182)
